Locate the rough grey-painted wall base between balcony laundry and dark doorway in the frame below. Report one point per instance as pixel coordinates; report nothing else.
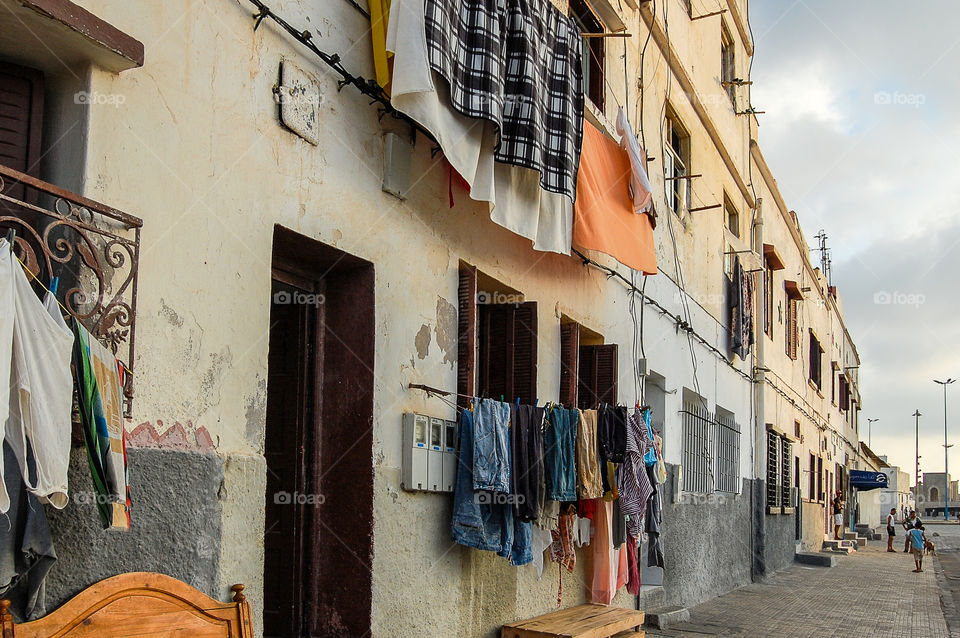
(176, 526)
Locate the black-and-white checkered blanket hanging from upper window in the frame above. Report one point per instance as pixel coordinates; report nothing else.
(516, 63)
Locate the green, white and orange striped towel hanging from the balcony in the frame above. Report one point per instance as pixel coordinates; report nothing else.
(100, 396)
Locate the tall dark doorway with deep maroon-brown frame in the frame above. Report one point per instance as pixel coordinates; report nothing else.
(318, 448)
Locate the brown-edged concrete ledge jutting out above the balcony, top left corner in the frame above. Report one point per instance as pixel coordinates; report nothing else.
(51, 34)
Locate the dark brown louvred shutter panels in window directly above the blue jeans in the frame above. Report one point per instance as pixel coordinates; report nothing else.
(508, 351)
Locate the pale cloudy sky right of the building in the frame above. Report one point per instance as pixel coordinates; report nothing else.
(862, 132)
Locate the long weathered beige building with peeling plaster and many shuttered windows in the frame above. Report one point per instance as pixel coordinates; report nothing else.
(288, 287)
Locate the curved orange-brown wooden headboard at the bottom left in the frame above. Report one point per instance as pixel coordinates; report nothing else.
(138, 604)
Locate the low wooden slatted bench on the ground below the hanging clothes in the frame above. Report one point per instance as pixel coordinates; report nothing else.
(583, 621)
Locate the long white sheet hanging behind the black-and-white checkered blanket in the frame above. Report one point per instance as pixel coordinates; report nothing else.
(516, 200)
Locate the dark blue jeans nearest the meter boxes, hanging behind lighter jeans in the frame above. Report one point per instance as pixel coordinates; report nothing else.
(479, 521)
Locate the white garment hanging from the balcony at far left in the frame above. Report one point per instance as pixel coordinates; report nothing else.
(40, 387)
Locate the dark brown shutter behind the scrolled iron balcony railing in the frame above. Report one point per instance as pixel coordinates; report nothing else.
(21, 119)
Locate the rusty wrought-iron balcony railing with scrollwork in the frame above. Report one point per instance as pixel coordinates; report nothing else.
(91, 248)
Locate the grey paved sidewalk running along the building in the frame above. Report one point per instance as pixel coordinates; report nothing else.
(868, 593)
